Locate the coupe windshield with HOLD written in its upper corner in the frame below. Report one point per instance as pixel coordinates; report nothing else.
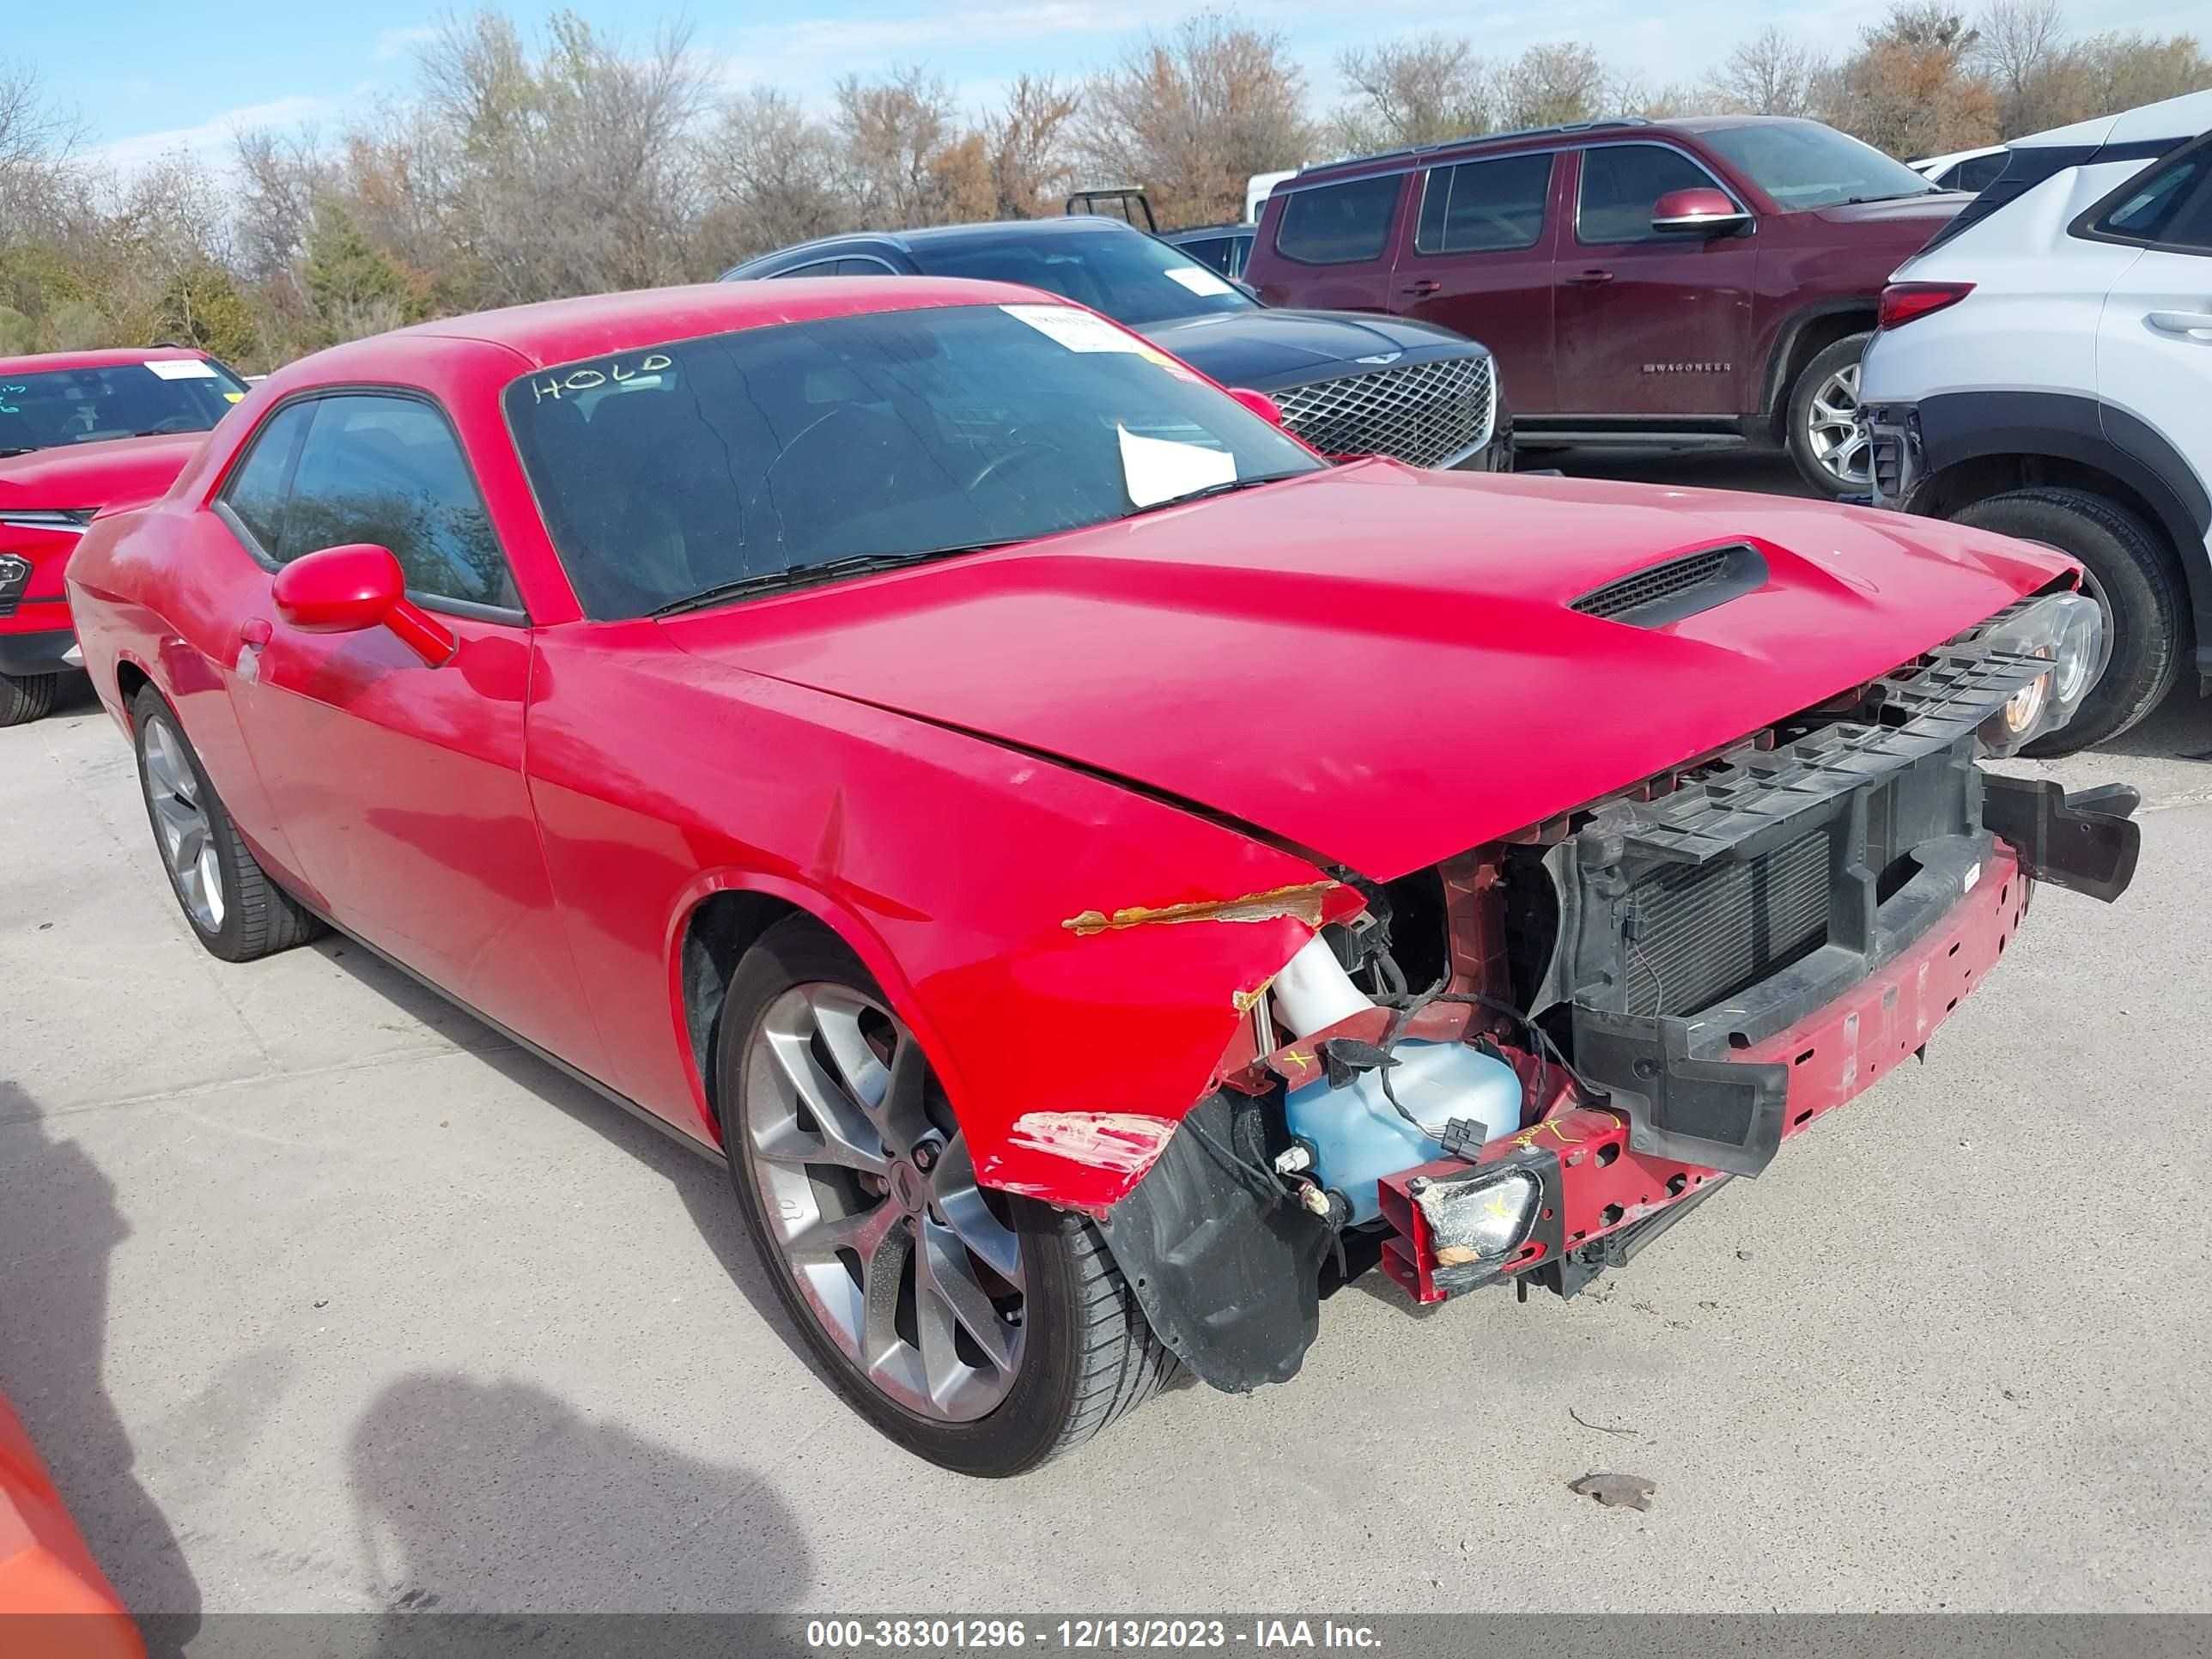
(680, 470)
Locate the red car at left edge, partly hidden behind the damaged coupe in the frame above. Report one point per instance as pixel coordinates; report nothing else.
(83, 432)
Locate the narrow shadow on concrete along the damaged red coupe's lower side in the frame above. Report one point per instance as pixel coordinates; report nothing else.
(700, 1182)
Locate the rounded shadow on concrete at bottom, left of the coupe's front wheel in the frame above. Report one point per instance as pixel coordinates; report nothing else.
(499, 1499)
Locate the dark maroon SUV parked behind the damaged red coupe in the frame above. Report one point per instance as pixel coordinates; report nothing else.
(1704, 282)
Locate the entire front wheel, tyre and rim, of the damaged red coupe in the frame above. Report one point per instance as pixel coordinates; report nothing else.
(974, 1328)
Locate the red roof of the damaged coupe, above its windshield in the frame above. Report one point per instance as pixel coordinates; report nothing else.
(565, 331)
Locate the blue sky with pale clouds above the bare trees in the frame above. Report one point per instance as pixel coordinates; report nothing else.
(154, 76)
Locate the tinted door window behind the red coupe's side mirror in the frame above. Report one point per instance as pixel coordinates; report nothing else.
(390, 472)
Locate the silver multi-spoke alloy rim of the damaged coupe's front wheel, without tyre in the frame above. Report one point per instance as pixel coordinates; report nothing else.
(870, 1196)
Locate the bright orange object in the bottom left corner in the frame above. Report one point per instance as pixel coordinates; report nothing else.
(54, 1598)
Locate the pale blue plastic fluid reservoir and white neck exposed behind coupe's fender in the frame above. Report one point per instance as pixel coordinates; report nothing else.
(1355, 1131)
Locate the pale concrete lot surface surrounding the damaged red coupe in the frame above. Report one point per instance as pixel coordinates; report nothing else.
(317, 1295)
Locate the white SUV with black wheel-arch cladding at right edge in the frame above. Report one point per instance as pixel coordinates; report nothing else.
(2045, 371)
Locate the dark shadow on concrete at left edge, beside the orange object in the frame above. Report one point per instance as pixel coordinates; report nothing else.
(59, 1231)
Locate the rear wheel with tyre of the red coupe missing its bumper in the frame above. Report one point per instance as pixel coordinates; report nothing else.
(236, 910)
